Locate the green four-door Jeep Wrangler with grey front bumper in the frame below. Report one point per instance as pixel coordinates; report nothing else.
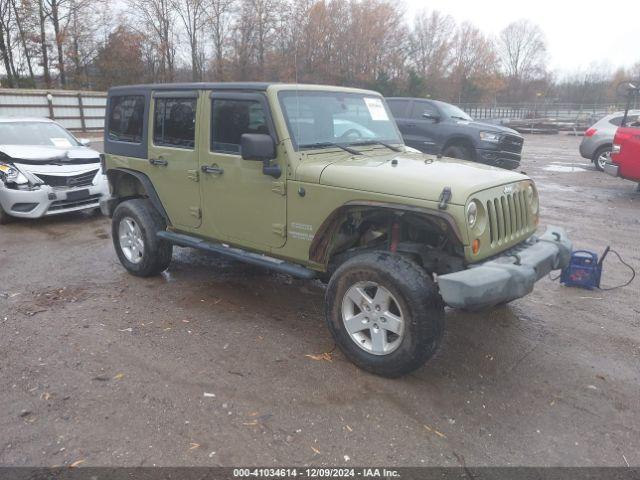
(315, 181)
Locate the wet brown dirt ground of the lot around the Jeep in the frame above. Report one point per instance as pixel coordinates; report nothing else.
(210, 363)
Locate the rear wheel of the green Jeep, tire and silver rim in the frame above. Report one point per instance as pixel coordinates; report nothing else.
(134, 227)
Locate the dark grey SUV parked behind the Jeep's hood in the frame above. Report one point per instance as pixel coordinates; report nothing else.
(437, 127)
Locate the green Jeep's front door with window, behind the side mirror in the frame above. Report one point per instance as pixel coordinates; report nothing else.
(241, 204)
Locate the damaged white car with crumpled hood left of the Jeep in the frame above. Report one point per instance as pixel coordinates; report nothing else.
(44, 170)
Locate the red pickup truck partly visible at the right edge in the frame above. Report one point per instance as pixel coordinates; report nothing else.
(625, 153)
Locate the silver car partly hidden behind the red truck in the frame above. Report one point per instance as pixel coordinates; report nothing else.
(598, 139)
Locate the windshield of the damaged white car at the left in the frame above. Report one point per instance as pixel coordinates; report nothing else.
(35, 133)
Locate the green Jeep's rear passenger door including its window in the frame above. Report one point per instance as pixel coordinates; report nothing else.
(173, 157)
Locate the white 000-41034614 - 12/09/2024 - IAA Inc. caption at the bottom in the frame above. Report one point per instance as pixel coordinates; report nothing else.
(315, 473)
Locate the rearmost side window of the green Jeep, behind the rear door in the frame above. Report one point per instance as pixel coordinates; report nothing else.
(126, 118)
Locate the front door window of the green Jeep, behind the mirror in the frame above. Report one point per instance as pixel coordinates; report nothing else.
(230, 119)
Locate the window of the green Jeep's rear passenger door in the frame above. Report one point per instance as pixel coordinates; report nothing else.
(174, 123)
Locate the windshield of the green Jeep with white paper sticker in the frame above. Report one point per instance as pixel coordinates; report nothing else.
(318, 119)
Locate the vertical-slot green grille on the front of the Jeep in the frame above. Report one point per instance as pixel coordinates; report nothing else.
(508, 217)
